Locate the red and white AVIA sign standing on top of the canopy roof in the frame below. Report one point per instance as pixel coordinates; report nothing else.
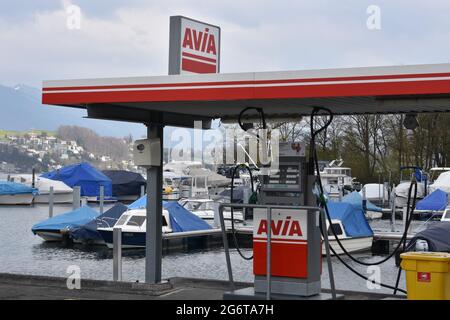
(194, 46)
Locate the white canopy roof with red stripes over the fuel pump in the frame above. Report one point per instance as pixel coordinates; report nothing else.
(395, 89)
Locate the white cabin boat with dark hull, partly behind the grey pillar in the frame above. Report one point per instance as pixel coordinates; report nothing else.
(133, 225)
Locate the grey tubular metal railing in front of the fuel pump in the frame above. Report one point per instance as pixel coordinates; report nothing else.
(269, 209)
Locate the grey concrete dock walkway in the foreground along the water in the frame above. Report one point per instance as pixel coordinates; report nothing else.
(31, 287)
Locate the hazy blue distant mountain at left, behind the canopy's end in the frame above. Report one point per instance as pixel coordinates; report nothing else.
(21, 109)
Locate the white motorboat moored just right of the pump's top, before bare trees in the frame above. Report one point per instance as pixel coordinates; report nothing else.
(335, 179)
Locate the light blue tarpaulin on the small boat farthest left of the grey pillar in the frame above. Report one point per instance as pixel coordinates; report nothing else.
(67, 220)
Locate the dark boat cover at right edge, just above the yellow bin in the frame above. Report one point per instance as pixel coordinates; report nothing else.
(437, 236)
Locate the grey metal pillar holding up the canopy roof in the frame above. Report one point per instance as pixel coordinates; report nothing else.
(153, 238)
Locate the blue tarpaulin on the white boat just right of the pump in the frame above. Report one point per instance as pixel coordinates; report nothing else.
(352, 217)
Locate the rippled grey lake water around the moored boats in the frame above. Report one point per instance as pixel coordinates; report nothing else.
(24, 253)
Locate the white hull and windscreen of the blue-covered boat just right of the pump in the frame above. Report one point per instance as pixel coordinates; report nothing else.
(350, 244)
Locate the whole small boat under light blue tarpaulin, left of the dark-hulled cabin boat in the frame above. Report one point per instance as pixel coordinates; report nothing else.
(55, 228)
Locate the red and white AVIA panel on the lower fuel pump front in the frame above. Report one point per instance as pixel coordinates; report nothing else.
(289, 243)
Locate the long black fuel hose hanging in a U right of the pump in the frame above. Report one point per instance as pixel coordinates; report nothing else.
(315, 164)
